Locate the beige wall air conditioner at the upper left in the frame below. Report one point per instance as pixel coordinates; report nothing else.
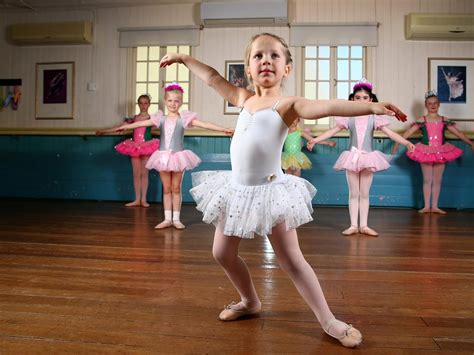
(53, 33)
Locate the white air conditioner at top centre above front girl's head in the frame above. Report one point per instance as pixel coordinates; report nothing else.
(215, 13)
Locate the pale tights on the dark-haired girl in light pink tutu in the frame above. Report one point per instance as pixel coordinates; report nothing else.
(359, 189)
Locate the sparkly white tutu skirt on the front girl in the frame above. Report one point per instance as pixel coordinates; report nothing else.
(244, 210)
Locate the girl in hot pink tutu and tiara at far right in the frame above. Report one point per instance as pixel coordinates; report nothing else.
(433, 152)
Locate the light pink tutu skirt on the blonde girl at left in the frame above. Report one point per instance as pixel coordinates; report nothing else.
(165, 160)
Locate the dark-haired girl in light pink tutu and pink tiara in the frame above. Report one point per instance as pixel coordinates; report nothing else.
(361, 161)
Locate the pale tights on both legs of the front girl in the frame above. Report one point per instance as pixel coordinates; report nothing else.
(291, 260)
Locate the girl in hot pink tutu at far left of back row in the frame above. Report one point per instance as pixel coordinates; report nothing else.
(138, 148)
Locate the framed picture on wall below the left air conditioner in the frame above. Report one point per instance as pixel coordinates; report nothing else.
(54, 90)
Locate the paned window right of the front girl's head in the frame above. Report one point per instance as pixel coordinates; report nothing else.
(331, 72)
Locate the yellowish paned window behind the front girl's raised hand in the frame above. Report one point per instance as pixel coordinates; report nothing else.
(150, 78)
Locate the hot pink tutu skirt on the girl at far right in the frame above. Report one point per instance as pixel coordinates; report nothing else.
(426, 154)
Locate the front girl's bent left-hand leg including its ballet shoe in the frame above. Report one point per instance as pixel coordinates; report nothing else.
(225, 250)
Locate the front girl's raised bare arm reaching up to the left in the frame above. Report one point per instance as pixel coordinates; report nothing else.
(235, 95)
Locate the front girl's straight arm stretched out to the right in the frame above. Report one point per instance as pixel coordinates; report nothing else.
(315, 109)
